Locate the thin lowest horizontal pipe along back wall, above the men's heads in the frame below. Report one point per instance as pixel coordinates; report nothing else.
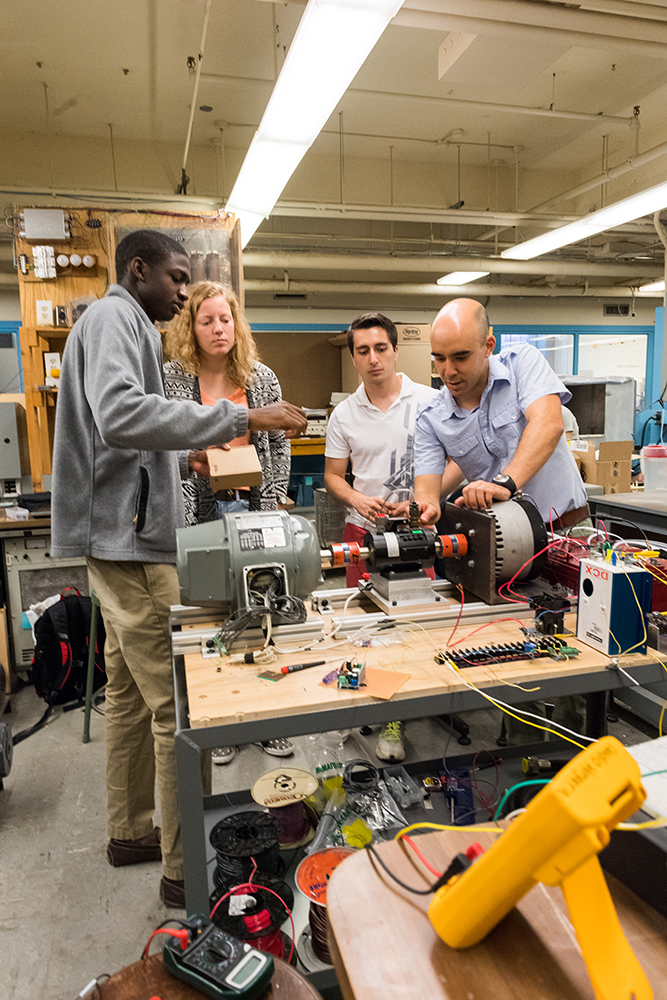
(385, 289)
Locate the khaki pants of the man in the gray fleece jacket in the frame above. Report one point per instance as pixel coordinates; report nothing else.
(135, 598)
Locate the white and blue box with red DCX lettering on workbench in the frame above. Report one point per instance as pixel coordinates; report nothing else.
(614, 600)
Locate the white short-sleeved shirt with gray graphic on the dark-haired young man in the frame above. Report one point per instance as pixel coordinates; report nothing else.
(379, 445)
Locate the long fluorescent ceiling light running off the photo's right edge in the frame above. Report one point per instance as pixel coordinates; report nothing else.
(627, 210)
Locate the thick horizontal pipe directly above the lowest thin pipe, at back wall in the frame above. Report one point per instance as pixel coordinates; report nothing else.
(306, 260)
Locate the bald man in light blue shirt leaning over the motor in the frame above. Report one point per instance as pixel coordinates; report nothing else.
(497, 423)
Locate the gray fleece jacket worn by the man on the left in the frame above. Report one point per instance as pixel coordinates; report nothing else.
(116, 485)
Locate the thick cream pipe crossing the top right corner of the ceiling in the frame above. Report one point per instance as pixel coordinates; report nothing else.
(537, 22)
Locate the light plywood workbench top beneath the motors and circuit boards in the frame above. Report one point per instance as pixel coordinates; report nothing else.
(220, 693)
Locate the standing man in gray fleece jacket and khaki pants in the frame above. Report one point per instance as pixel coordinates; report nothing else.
(120, 449)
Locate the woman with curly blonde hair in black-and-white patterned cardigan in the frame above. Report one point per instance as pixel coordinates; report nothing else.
(213, 356)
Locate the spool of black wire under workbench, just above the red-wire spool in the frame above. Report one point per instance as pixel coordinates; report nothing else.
(240, 838)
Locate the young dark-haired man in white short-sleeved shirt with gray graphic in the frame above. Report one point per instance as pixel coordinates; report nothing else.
(373, 429)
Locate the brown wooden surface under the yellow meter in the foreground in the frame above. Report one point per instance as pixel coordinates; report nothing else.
(386, 949)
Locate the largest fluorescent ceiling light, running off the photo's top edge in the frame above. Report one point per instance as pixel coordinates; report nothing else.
(331, 44)
